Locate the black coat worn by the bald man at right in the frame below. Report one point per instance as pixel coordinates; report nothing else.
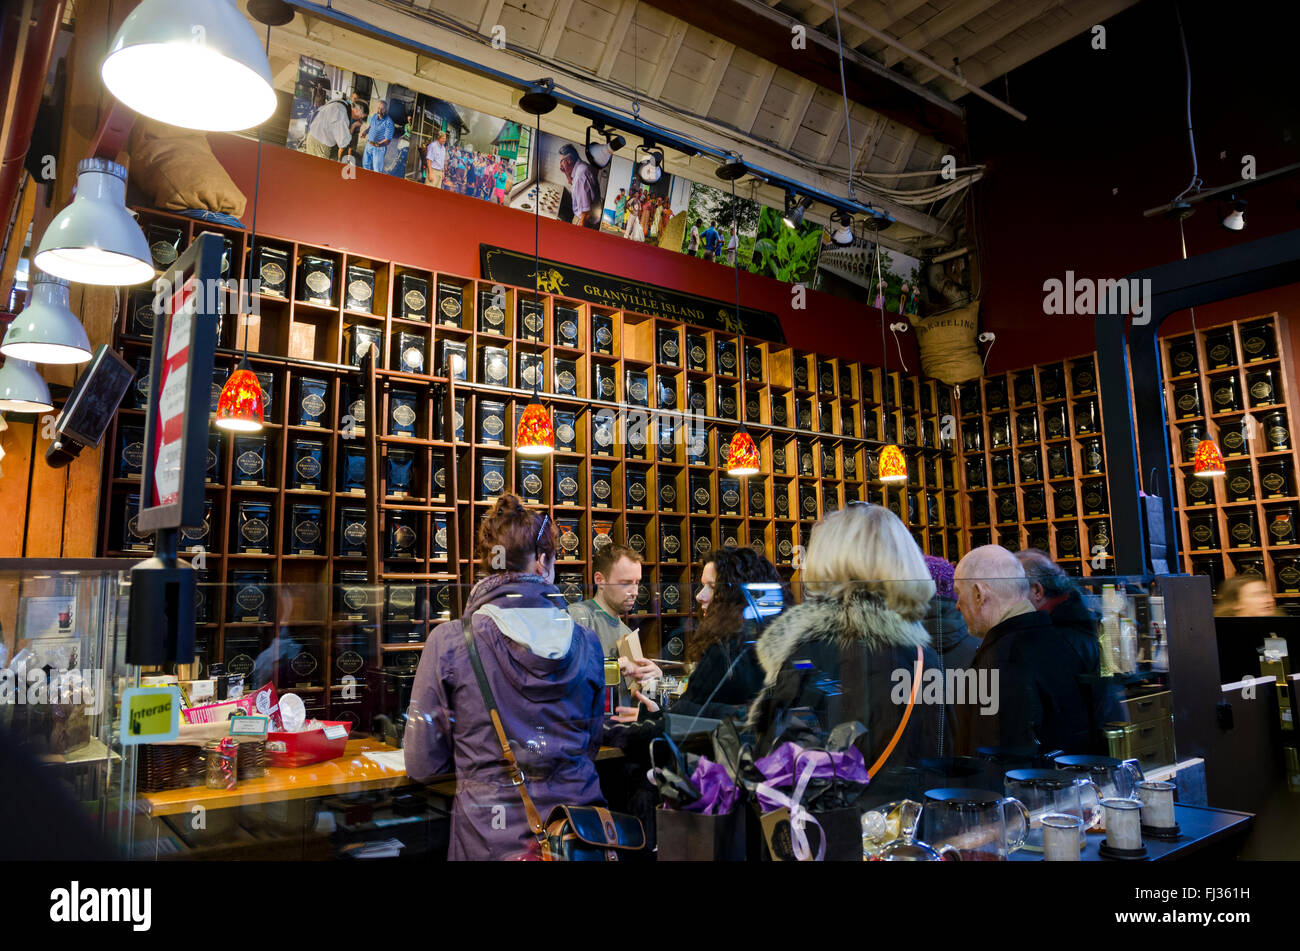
(1039, 697)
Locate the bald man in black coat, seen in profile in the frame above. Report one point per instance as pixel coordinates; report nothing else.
(1037, 670)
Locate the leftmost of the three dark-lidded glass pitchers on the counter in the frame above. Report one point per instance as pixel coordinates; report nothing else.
(978, 824)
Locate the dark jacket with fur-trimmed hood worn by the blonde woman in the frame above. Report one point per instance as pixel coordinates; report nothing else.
(837, 661)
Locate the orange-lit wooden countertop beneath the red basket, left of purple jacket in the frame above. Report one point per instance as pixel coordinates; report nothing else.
(349, 774)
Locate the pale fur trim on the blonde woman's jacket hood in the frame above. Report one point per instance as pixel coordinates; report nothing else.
(856, 618)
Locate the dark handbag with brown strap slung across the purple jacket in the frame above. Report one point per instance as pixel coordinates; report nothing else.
(573, 833)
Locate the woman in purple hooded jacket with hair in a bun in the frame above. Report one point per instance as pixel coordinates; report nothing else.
(547, 675)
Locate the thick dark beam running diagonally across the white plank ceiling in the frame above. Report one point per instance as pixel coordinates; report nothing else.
(766, 33)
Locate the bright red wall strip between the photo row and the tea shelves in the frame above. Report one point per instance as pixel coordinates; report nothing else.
(309, 199)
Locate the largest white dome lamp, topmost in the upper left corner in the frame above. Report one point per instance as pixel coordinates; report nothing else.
(197, 66)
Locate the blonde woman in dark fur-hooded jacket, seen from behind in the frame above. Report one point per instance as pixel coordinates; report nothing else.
(850, 653)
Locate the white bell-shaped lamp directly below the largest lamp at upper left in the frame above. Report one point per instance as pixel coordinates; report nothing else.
(96, 241)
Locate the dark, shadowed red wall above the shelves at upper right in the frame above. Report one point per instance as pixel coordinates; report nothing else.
(1107, 140)
